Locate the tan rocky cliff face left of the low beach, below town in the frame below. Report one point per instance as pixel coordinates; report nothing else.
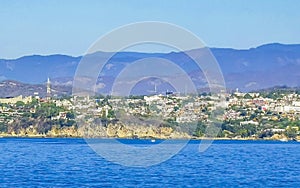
(111, 131)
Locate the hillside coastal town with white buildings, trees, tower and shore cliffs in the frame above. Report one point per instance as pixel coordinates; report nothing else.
(271, 114)
